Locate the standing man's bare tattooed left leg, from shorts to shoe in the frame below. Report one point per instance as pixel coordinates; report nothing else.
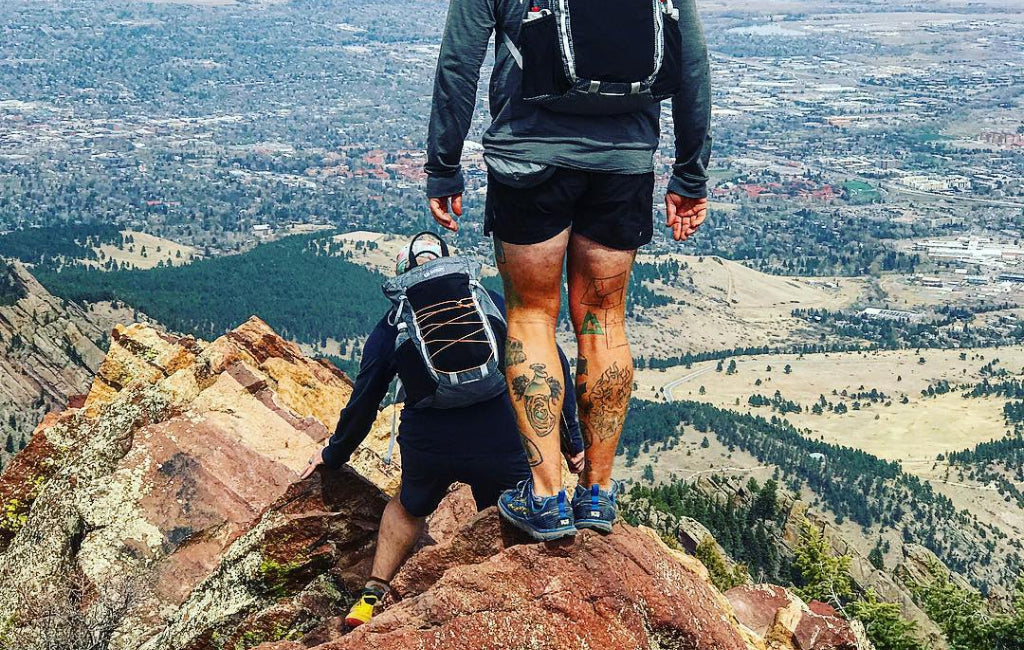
(533, 277)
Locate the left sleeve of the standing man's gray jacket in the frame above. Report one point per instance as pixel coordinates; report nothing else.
(464, 48)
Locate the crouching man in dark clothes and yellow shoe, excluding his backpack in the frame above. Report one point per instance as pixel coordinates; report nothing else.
(477, 445)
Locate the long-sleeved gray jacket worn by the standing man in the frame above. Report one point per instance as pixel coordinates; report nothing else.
(621, 144)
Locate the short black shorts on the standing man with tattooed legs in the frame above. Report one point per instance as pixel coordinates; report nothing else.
(615, 210)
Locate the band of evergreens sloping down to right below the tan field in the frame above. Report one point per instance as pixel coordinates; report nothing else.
(852, 484)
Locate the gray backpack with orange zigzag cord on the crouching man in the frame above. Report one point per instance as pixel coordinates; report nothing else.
(447, 350)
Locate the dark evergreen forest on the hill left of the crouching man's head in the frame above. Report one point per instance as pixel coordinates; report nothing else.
(305, 295)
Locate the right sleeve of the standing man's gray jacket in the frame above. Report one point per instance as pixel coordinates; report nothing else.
(692, 110)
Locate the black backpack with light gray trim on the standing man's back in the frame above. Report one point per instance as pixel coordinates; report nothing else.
(599, 57)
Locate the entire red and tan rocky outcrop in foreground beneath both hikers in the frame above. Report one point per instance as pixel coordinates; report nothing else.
(181, 468)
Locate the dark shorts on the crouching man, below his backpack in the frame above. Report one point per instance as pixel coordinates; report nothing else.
(426, 478)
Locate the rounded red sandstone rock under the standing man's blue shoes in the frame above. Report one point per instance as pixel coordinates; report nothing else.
(621, 591)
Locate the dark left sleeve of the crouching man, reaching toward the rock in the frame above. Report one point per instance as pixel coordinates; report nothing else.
(376, 372)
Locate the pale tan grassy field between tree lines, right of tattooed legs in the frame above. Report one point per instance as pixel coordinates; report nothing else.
(920, 429)
